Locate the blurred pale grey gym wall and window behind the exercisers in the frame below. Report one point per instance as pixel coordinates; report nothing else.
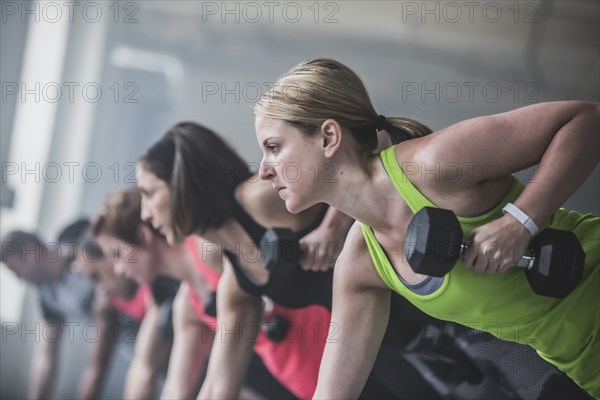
(88, 86)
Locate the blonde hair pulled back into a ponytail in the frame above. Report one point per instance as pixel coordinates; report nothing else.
(322, 88)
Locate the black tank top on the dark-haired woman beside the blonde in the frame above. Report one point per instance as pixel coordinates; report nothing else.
(297, 289)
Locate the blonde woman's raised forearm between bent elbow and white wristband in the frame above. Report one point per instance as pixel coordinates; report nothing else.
(569, 159)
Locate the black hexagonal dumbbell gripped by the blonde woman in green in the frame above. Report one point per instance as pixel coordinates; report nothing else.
(554, 259)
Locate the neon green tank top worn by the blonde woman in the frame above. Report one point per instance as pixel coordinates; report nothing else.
(563, 332)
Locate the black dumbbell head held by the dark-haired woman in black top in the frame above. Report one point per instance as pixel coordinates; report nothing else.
(280, 250)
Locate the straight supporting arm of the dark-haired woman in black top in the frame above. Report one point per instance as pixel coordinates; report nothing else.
(239, 316)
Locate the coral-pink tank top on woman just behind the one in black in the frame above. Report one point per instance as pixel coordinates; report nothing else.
(294, 361)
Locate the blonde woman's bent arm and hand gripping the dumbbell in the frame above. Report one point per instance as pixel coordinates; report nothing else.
(562, 137)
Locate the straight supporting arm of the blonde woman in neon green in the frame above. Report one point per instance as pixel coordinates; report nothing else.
(361, 305)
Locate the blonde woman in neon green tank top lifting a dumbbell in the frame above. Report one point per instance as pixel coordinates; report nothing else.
(327, 123)
